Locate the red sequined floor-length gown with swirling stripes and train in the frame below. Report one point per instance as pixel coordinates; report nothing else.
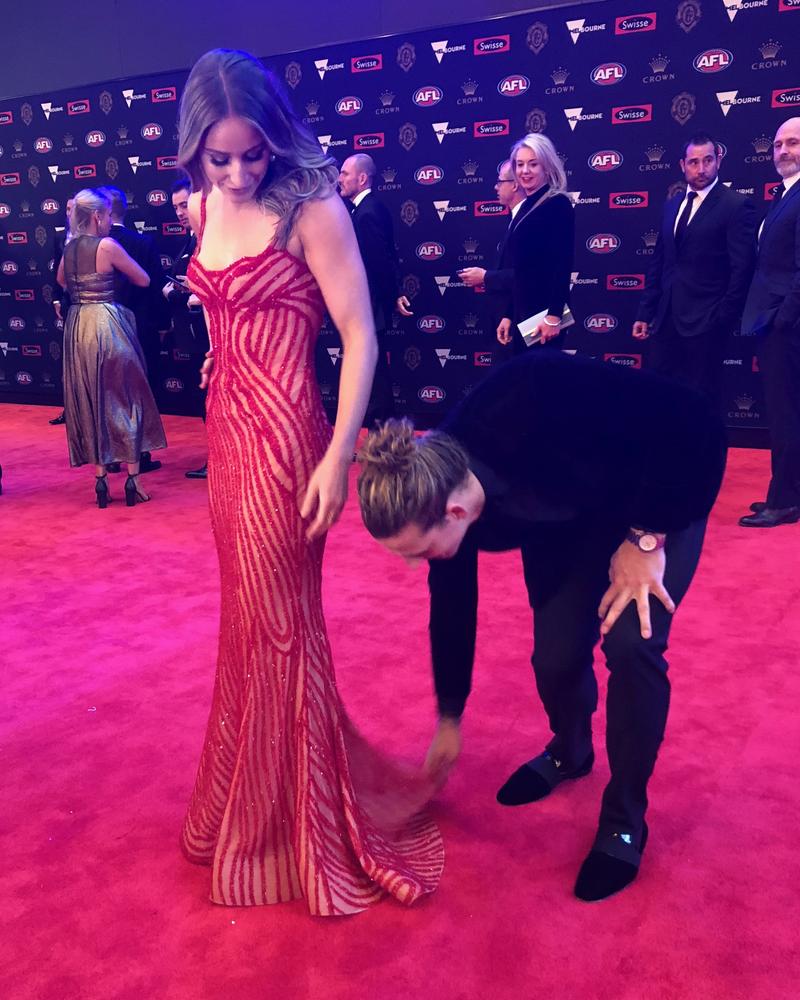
(274, 810)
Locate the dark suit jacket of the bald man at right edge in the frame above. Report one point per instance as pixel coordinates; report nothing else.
(773, 302)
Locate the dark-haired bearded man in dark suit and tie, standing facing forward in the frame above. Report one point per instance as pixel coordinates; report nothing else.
(698, 278)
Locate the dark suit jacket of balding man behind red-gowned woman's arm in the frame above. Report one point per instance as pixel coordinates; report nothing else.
(375, 235)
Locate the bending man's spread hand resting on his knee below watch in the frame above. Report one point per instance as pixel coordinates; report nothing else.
(634, 575)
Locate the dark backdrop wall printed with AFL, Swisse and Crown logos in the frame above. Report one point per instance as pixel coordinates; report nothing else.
(617, 87)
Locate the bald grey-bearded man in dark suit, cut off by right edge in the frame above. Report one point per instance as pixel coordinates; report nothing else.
(772, 313)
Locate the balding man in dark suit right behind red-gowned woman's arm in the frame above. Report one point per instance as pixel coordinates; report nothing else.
(375, 234)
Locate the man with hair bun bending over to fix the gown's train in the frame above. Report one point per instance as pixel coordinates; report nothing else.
(604, 479)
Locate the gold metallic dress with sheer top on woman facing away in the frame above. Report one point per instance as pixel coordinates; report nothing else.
(110, 412)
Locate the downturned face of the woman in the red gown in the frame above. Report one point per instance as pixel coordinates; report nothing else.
(235, 158)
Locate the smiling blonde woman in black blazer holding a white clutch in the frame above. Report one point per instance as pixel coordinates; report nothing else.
(541, 243)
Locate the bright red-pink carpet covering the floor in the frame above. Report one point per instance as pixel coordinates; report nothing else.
(109, 625)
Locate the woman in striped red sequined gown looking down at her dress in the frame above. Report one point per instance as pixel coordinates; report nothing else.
(289, 802)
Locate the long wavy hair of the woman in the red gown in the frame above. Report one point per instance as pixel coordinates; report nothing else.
(228, 83)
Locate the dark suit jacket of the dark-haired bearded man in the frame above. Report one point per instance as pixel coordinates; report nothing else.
(701, 285)
